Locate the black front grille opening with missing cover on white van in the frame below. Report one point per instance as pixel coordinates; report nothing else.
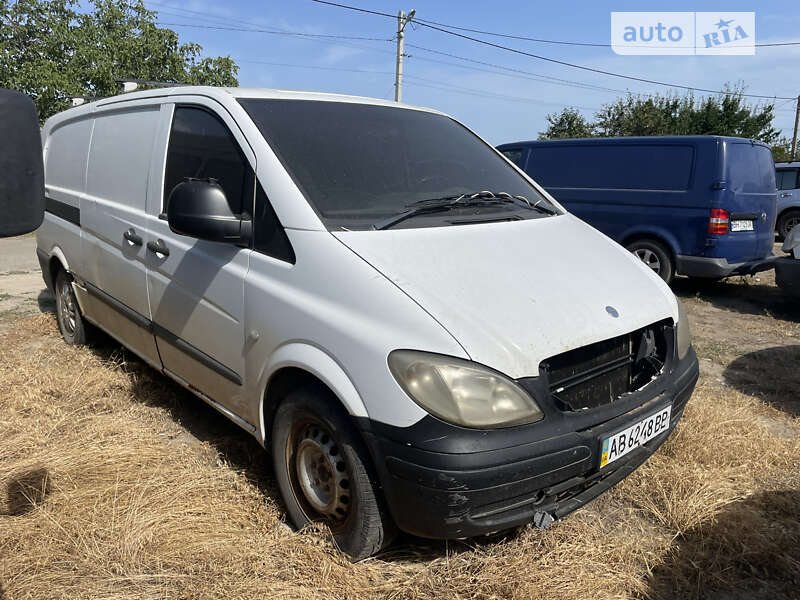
(602, 372)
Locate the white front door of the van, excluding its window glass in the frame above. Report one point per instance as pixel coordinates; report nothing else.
(197, 291)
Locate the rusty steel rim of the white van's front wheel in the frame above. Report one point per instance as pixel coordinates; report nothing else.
(319, 474)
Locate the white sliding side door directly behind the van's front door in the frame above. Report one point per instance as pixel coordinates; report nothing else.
(113, 223)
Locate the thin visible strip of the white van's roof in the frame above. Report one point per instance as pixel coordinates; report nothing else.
(220, 93)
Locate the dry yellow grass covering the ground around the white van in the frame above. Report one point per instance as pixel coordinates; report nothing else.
(104, 495)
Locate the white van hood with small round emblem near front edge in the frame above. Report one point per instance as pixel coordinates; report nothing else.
(515, 293)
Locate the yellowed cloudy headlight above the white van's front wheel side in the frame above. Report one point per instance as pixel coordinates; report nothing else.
(462, 392)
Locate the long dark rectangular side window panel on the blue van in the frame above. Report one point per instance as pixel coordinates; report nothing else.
(627, 167)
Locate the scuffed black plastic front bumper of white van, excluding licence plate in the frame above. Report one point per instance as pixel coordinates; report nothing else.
(443, 481)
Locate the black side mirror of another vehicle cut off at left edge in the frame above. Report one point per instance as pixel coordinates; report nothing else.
(22, 179)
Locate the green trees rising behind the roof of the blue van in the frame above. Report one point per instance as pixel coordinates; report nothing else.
(723, 114)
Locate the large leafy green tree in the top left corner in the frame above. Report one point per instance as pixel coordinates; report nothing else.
(54, 50)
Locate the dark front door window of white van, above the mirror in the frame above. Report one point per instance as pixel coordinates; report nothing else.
(201, 146)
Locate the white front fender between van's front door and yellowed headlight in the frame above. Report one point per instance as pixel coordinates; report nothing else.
(334, 315)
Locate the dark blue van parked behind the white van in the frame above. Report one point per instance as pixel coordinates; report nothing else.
(702, 206)
